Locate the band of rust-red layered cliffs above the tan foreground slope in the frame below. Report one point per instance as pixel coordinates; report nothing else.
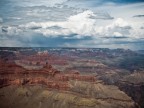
(19, 75)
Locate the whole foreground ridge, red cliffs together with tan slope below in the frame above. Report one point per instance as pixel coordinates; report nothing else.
(48, 87)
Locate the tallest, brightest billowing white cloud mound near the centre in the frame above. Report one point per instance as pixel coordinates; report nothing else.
(81, 23)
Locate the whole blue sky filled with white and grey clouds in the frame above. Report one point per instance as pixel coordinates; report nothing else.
(72, 23)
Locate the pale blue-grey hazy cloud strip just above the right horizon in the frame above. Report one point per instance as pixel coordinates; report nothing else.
(107, 43)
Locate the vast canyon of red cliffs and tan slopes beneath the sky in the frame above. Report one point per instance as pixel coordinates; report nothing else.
(41, 79)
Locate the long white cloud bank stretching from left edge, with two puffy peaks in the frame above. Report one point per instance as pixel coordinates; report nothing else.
(79, 26)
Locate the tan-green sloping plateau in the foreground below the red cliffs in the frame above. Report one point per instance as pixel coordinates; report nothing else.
(40, 97)
